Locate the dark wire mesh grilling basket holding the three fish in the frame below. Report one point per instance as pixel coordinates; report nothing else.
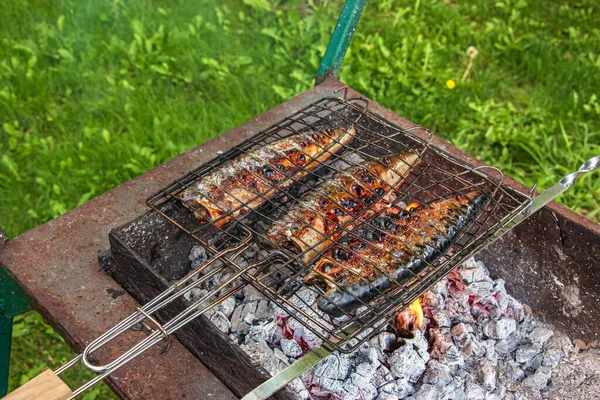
(246, 255)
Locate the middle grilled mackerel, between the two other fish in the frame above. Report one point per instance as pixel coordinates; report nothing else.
(311, 225)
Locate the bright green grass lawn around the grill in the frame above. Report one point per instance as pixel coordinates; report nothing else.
(93, 94)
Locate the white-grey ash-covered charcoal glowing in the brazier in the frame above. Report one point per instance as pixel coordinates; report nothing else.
(478, 343)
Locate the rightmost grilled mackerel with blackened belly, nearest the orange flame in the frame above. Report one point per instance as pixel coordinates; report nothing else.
(388, 251)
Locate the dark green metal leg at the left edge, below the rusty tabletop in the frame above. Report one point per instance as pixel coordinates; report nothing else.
(13, 302)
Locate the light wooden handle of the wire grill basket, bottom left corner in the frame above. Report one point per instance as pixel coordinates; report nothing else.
(45, 386)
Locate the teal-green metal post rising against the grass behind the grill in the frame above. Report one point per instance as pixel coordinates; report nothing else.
(340, 40)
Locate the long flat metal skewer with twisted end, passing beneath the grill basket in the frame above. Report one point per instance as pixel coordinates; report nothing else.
(290, 373)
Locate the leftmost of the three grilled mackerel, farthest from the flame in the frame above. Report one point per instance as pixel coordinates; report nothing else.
(245, 182)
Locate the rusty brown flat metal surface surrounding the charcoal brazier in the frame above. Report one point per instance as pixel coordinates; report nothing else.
(57, 262)
